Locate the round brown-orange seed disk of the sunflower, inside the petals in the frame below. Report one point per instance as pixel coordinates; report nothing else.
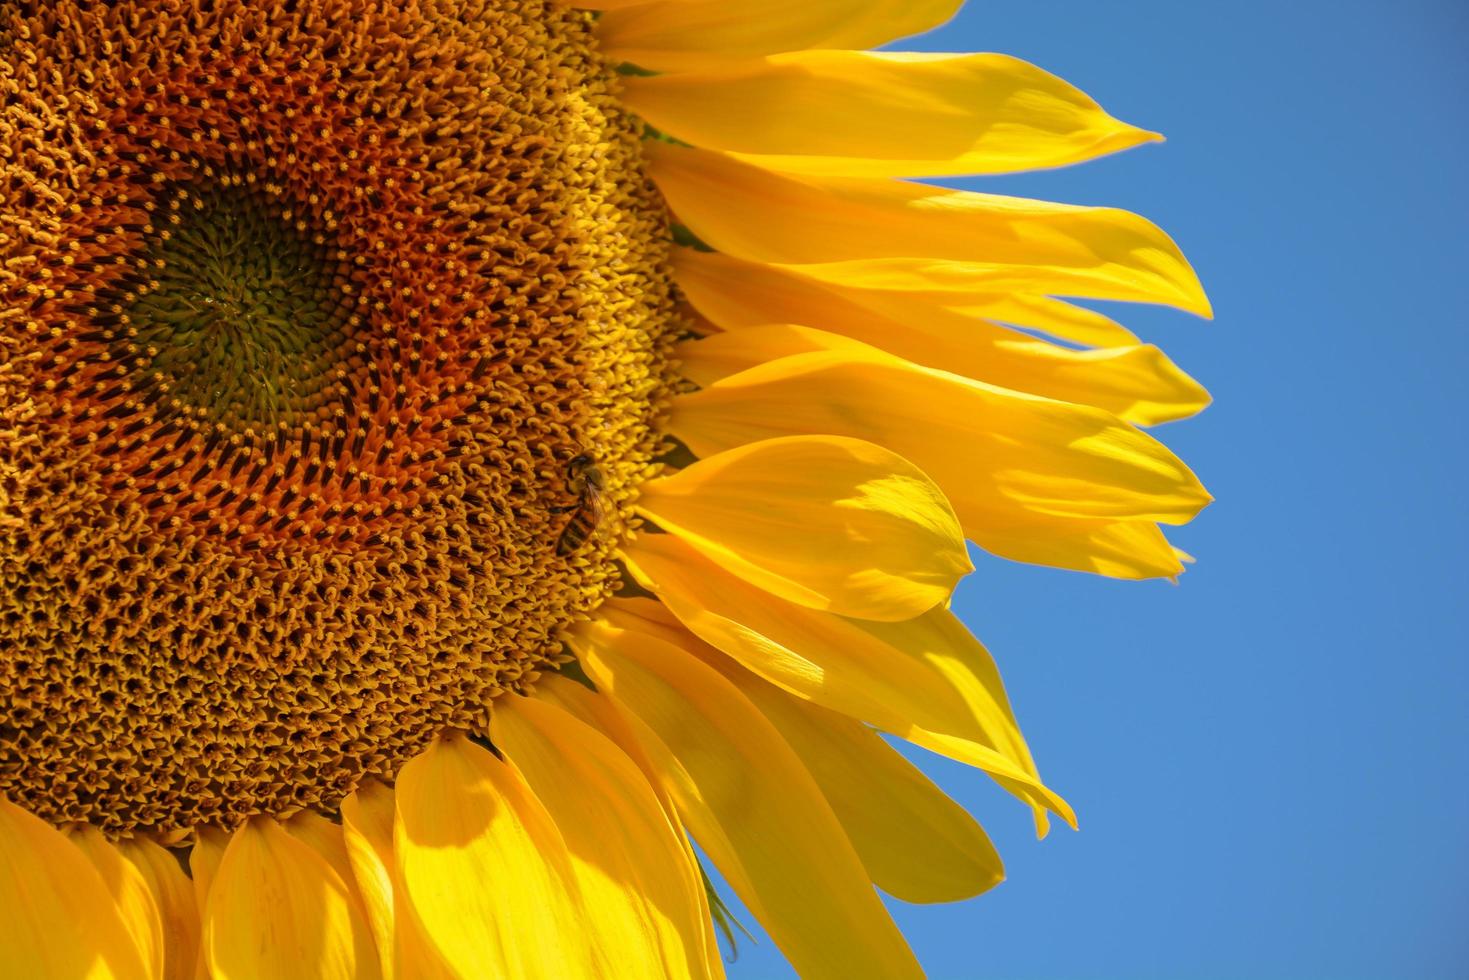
(308, 314)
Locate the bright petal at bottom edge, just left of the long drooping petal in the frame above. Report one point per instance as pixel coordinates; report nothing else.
(638, 882)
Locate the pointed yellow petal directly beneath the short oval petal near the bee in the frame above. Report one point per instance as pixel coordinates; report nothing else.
(926, 680)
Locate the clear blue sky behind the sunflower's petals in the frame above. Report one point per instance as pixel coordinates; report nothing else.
(1270, 760)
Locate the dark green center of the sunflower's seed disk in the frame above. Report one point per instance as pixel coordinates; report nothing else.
(246, 311)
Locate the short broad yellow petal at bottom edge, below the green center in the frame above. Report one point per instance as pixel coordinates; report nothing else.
(278, 910)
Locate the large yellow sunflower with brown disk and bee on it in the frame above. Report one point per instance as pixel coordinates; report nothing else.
(456, 453)
